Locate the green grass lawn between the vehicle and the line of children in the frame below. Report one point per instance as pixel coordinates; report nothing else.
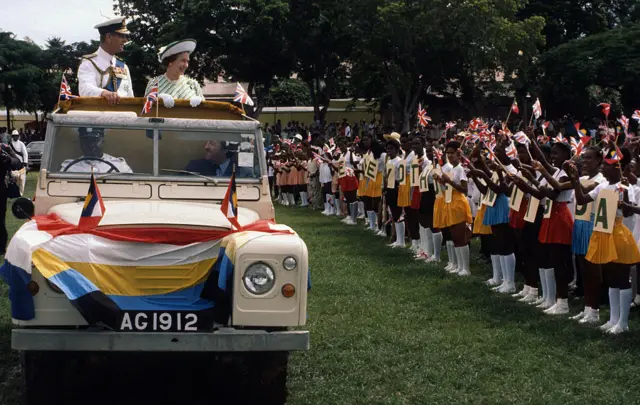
(386, 329)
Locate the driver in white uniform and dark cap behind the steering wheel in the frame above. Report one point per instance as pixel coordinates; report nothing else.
(91, 144)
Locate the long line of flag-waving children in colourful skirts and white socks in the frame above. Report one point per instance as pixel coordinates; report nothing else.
(561, 211)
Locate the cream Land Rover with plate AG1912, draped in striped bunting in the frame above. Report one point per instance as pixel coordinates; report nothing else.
(167, 173)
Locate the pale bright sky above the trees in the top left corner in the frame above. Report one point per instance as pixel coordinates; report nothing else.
(72, 20)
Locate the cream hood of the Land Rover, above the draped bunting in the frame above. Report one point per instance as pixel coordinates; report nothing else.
(157, 213)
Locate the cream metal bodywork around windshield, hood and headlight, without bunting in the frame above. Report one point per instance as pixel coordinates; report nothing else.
(175, 201)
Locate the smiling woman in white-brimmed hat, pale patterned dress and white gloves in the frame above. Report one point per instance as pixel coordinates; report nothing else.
(173, 84)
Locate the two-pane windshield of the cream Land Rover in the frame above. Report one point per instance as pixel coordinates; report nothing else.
(124, 150)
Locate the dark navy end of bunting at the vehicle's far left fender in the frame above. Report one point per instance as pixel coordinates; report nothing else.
(22, 307)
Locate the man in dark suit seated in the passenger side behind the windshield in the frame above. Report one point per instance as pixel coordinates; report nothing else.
(218, 161)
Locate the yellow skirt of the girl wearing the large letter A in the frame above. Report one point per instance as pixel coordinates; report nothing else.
(616, 247)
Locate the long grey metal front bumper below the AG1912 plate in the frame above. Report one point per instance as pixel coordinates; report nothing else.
(222, 340)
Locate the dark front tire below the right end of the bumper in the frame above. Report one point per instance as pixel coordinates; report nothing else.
(268, 377)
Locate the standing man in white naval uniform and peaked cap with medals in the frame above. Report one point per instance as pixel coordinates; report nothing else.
(102, 74)
